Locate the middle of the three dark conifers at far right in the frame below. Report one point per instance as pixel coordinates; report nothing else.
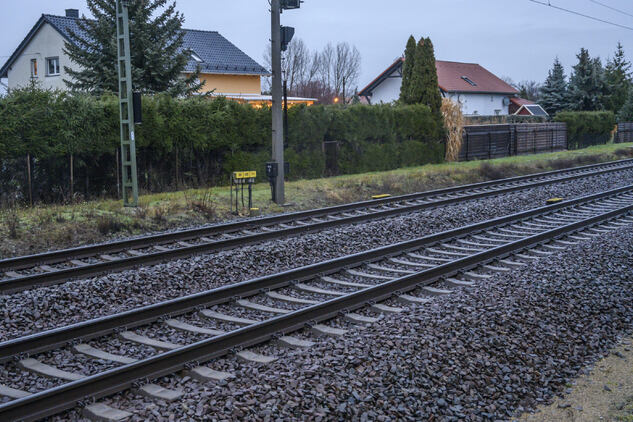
(587, 87)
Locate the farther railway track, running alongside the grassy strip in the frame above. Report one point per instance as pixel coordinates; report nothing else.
(26, 272)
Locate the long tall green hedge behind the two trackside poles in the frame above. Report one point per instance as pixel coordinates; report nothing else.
(198, 141)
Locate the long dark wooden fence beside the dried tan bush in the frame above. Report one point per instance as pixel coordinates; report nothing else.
(495, 141)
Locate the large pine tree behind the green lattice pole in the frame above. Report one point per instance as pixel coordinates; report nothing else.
(156, 39)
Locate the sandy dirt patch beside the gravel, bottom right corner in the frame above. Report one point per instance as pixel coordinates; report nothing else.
(605, 394)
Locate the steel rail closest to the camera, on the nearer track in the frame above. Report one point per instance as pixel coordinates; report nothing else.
(64, 397)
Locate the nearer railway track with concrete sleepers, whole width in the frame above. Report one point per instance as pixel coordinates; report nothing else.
(193, 331)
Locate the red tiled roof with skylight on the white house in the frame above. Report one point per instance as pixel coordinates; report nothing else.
(451, 76)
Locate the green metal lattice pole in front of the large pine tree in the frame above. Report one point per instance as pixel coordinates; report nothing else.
(128, 144)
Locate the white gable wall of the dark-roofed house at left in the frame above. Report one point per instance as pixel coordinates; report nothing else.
(46, 44)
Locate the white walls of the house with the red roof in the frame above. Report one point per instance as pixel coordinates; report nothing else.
(472, 103)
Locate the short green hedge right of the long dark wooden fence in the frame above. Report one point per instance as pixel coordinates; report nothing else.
(586, 128)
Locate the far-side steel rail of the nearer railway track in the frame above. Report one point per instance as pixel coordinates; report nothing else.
(86, 330)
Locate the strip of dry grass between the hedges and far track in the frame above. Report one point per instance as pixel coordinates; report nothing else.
(31, 230)
